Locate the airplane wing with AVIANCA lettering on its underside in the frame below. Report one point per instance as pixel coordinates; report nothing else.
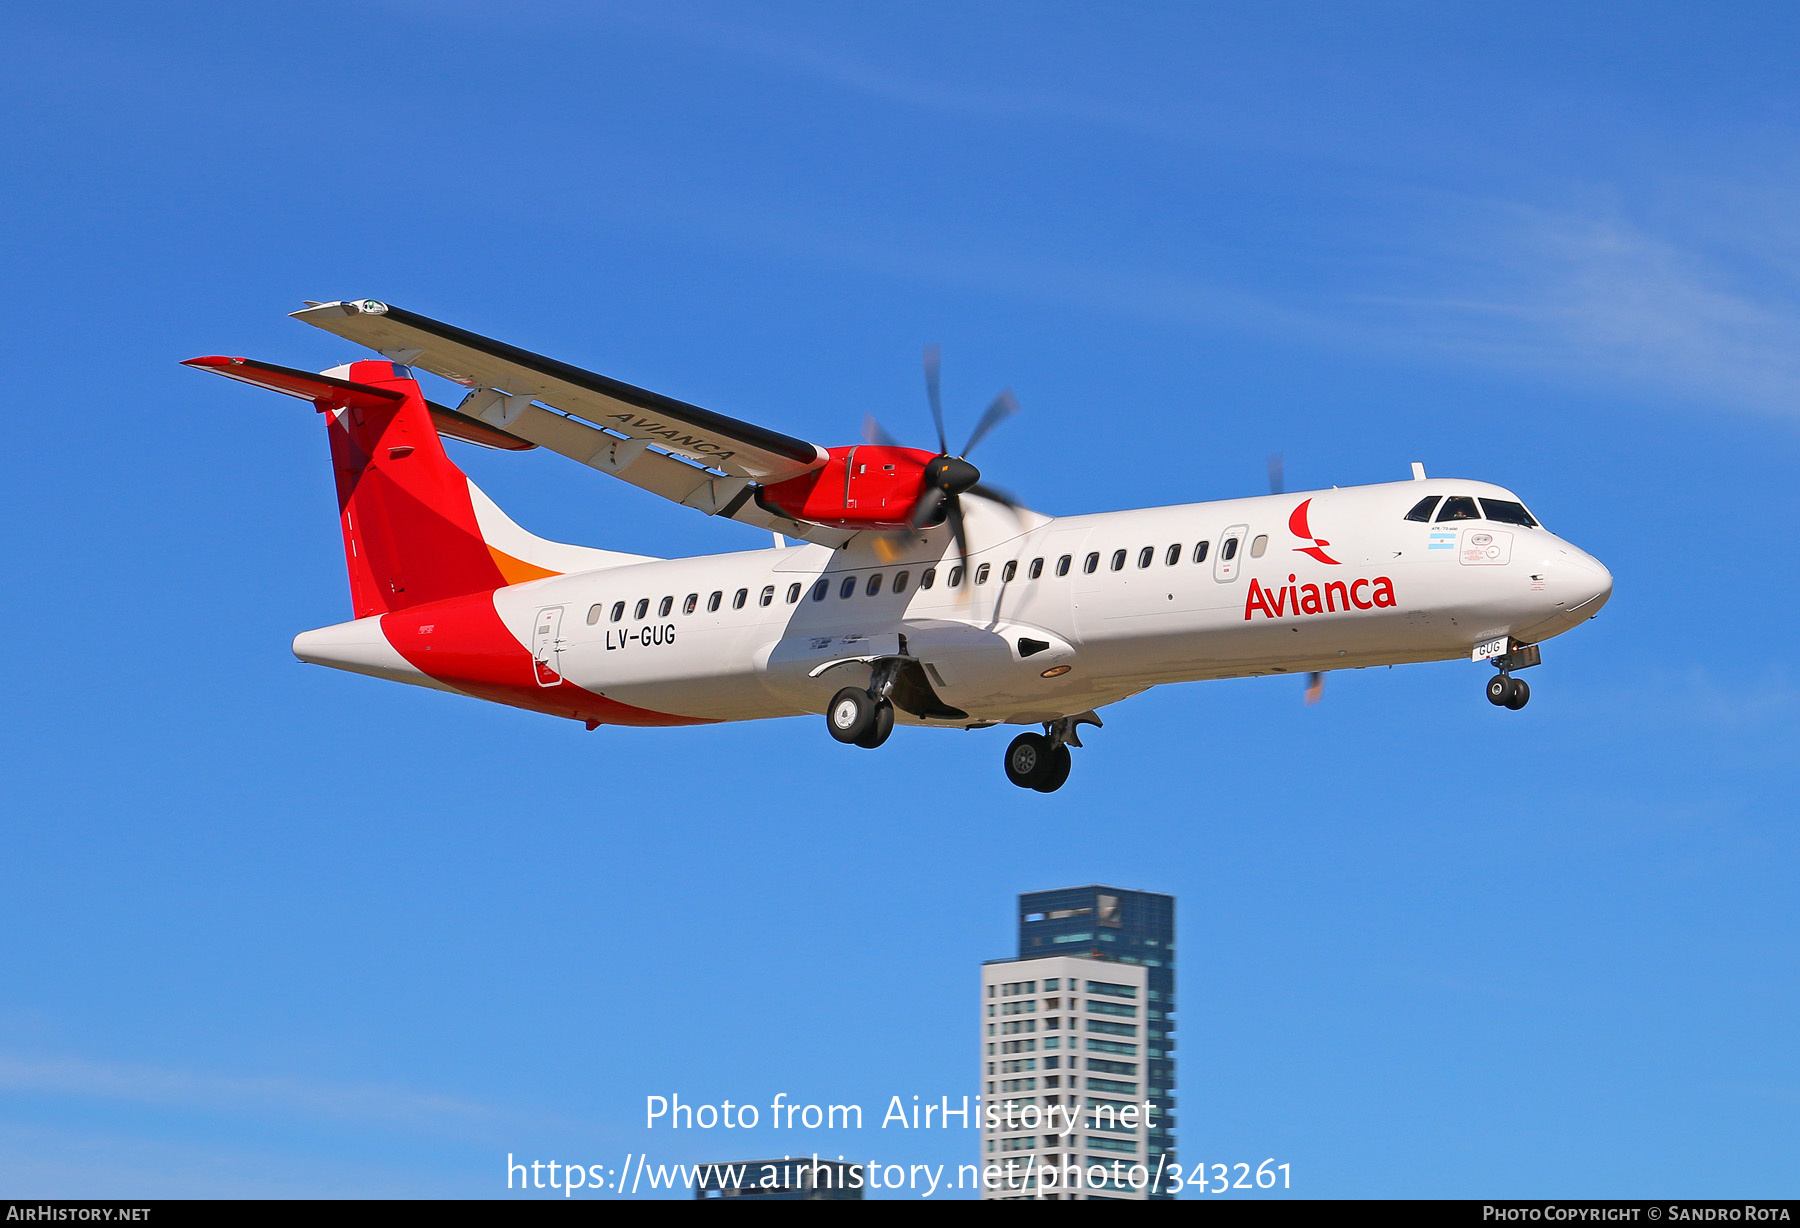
(663, 446)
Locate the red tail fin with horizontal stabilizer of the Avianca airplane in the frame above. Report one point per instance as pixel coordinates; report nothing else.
(415, 527)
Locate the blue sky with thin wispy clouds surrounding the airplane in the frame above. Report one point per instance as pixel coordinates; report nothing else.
(273, 930)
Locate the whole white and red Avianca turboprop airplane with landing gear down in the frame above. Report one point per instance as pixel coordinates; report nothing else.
(917, 593)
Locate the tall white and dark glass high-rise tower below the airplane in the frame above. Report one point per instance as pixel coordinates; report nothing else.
(1077, 1049)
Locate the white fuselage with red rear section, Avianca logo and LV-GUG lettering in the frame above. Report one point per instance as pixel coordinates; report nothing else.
(1056, 617)
